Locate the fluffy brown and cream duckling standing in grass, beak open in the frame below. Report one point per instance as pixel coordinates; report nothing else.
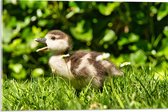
(81, 67)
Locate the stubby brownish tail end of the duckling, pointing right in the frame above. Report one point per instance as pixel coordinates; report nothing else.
(111, 68)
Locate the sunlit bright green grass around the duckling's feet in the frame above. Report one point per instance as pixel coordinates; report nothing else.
(139, 88)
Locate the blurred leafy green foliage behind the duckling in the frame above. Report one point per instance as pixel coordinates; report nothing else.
(135, 32)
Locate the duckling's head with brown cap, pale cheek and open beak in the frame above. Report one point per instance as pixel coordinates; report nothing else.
(56, 41)
